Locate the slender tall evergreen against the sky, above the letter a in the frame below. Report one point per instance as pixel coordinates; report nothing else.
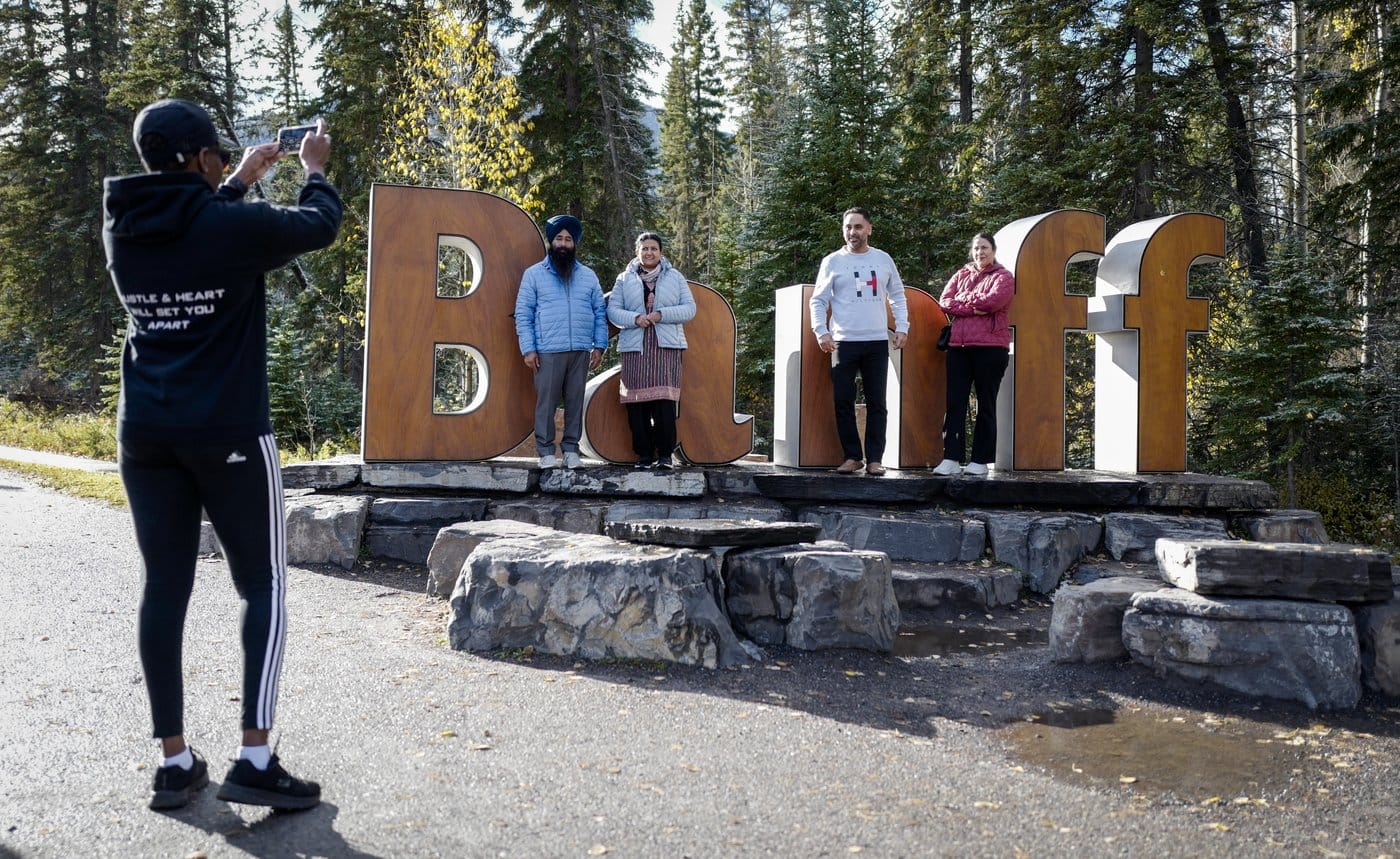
(694, 152)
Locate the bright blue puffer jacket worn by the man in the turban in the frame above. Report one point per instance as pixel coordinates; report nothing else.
(554, 317)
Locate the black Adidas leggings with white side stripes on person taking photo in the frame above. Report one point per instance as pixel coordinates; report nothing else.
(240, 488)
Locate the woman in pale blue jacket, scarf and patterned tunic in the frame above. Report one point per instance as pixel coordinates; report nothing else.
(652, 303)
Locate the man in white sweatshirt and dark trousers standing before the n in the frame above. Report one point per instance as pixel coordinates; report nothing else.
(855, 285)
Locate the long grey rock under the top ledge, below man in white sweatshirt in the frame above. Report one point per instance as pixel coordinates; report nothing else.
(906, 535)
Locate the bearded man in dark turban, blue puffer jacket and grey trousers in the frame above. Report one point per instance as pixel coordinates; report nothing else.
(562, 325)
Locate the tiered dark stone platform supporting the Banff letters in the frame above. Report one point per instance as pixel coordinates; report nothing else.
(1035, 525)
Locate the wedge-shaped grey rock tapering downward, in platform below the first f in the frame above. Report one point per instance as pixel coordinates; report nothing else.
(1044, 546)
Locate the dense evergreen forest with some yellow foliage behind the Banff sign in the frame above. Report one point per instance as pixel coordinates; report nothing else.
(941, 117)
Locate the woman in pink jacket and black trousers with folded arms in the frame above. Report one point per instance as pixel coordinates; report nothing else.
(976, 300)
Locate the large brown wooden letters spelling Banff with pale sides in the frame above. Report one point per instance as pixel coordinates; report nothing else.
(1140, 315)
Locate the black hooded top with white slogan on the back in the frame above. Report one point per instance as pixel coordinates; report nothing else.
(188, 265)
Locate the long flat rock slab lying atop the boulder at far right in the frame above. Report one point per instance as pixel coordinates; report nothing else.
(1350, 574)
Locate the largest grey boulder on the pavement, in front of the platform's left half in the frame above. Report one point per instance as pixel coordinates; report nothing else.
(590, 597)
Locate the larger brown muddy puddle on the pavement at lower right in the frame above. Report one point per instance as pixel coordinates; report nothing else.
(1193, 758)
